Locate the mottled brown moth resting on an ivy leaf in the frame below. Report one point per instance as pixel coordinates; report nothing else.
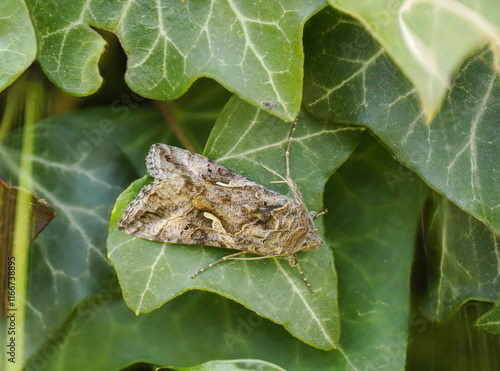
(194, 200)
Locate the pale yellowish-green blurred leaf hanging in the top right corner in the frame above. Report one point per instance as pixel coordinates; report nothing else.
(429, 39)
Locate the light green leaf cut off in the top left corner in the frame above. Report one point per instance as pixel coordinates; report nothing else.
(17, 41)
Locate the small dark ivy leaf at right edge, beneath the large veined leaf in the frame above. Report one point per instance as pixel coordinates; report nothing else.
(464, 259)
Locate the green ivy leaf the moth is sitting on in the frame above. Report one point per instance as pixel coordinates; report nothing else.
(152, 273)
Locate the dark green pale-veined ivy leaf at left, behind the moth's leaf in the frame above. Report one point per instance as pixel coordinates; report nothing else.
(81, 162)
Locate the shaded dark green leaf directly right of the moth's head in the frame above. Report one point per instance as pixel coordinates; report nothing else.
(375, 204)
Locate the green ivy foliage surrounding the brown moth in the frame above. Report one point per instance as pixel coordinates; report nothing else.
(398, 137)
